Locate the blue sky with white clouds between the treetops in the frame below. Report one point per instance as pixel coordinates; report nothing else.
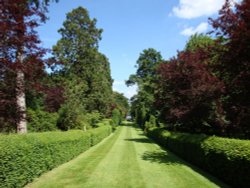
(130, 26)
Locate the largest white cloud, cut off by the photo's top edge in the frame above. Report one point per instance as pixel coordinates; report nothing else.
(195, 8)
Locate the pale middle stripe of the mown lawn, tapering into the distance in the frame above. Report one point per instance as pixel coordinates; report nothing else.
(119, 167)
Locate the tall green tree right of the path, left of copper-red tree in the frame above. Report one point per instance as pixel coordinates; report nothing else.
(142, 105)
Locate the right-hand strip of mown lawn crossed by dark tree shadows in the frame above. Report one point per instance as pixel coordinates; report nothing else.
(168, 169)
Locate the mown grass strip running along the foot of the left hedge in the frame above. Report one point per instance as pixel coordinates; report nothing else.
(78, 170)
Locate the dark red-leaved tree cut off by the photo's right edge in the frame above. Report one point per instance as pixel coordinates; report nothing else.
(232, 28)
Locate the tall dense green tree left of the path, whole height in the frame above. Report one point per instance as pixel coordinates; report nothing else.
(87, 80)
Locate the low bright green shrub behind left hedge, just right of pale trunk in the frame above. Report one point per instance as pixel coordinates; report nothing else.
(41, 121)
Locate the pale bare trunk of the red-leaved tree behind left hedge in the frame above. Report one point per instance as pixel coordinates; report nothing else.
(20, 100)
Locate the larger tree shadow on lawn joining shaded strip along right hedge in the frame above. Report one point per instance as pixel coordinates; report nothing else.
(168, 158)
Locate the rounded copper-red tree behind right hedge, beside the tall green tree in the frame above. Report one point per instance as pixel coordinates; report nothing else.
(188, 93)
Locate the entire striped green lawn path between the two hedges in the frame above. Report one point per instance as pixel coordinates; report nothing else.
(126, 159)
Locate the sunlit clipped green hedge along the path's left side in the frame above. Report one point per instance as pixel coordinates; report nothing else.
(25, 157)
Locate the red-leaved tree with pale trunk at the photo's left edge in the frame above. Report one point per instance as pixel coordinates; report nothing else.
(20, 55)
